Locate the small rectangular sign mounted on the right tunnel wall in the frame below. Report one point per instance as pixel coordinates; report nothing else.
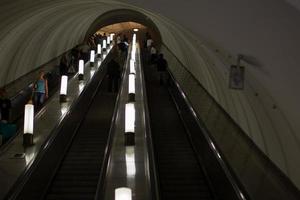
(236, 77)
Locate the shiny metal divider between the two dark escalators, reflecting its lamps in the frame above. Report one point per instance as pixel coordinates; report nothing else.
(128, 166)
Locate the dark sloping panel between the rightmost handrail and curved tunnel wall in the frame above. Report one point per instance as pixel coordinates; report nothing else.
(244, 160)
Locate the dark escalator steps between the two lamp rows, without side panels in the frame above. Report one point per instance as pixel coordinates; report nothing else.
(77, 176)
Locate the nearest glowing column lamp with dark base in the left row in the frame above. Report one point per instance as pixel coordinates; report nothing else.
(28, 124)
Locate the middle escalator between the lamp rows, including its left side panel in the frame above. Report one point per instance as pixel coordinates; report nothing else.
(70, 163)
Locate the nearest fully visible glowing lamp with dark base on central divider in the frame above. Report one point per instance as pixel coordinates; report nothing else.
(129, 124)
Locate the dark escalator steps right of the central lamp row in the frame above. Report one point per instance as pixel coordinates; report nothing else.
(179, 171)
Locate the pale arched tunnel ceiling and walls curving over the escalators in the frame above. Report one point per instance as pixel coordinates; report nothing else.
(33, 32)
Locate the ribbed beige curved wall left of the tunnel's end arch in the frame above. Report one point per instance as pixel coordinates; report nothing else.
(34, 32)
